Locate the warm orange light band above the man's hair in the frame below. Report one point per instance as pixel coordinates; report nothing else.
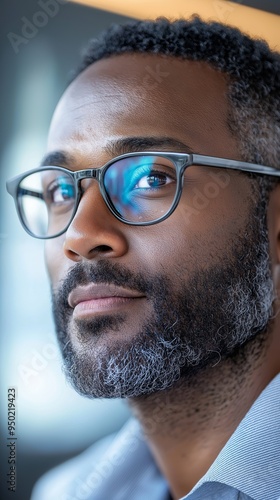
(255, 22)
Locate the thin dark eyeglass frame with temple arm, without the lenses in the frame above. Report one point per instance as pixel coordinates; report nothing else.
(180, 160)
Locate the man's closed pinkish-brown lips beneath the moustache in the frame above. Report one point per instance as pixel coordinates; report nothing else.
(97, 295)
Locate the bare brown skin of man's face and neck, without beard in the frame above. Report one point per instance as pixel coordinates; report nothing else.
(119, 98)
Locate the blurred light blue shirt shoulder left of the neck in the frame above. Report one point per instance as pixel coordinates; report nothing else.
(119, 466)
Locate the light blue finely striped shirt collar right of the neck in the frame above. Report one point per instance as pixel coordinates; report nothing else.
(250, 460)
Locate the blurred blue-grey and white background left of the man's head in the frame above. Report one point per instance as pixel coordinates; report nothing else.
(53, 423)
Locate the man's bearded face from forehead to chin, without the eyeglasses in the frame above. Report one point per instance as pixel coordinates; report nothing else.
(138, 307)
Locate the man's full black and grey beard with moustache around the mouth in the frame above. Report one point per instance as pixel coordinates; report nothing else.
(214, 314)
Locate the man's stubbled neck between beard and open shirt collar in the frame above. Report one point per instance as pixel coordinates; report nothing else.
(188, 425)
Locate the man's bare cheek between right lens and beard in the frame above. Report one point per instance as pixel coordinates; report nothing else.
(197, 235)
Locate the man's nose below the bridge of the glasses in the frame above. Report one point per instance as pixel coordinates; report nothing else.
(94, 231)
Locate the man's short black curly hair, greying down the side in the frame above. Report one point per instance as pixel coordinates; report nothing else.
(253, 71)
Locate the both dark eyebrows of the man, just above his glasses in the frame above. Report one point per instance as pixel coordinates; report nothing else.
(119, 147)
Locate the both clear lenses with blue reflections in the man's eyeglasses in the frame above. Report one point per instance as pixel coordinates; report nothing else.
(138, 189)
